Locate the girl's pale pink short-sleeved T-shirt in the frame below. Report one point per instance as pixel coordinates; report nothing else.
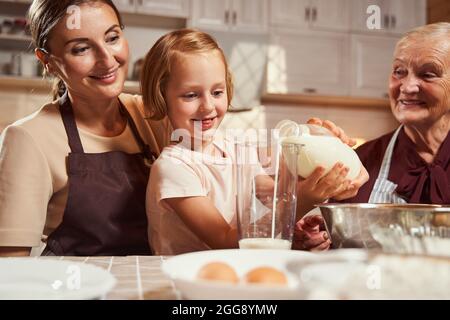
(180, 172)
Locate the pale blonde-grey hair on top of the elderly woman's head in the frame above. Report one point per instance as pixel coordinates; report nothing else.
(440, 30)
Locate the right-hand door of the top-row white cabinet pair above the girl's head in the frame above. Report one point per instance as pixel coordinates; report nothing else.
(249, 16)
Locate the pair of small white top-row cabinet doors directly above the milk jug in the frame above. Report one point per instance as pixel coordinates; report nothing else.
(330, 15)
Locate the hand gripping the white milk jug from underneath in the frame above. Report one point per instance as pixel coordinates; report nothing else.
(319, 187)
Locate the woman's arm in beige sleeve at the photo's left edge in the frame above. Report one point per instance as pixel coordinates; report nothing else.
(25, 190)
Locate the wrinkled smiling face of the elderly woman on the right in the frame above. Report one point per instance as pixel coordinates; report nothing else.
(419, 85)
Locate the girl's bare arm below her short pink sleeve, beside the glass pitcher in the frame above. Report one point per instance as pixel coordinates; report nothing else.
(202, 218)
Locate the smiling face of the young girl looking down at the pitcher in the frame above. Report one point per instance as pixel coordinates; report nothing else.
(196, 93)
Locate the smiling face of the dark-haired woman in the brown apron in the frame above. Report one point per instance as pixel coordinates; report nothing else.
(91, 59)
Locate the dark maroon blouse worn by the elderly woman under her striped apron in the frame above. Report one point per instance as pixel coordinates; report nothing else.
(418, 182)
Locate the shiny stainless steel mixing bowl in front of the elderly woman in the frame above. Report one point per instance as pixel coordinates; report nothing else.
(405, 228)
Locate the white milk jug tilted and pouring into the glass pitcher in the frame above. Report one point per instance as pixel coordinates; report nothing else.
(320, 148)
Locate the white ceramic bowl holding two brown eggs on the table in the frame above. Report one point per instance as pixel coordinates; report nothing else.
(183, 269)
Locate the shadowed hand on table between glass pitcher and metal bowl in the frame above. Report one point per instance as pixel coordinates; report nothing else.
(307, 234)
